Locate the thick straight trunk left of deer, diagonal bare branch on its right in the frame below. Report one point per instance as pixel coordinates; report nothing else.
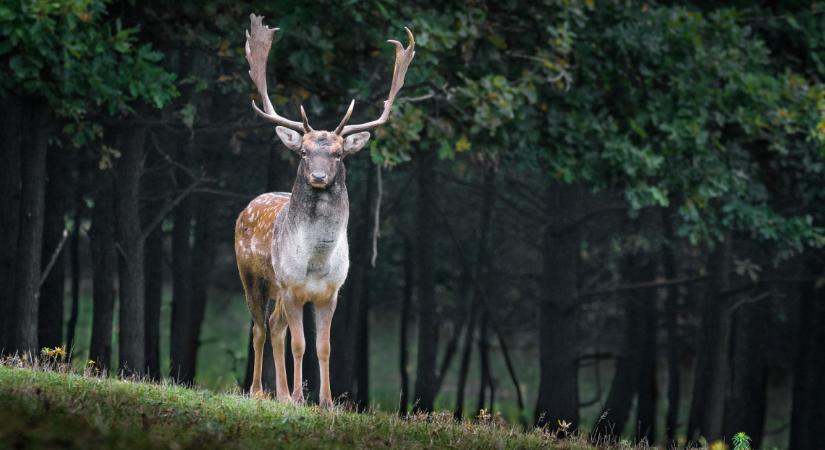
(132, 317)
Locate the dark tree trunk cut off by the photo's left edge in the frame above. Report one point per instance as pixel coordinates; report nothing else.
(10, 141)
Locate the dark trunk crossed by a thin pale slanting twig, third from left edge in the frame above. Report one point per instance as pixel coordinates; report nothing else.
(50, 313)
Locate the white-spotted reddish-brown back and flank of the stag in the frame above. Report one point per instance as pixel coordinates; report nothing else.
(254, 231)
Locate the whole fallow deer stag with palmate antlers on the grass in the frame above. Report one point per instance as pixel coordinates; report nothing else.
(292, 247)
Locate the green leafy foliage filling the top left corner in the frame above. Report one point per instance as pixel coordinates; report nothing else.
(76, 61)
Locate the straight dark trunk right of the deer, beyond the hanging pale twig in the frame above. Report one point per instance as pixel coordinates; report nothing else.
(427, 344)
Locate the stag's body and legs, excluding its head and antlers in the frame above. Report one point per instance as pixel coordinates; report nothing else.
(292, 248)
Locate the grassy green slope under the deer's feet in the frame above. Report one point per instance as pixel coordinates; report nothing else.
(47, 409)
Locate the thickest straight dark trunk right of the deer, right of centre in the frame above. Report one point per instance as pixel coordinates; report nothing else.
(558, 329)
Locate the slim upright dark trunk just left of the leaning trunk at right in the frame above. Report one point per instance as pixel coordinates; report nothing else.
(672, 300)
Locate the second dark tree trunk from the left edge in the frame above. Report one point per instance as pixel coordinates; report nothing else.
(30, 233)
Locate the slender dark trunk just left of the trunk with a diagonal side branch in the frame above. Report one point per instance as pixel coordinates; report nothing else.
(104, 266)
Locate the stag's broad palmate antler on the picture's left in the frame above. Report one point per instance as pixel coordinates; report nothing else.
(258, 42)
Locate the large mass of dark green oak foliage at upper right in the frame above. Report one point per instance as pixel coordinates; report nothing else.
(677, 106)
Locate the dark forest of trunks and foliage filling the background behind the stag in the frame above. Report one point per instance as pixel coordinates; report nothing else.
(605, 216)
